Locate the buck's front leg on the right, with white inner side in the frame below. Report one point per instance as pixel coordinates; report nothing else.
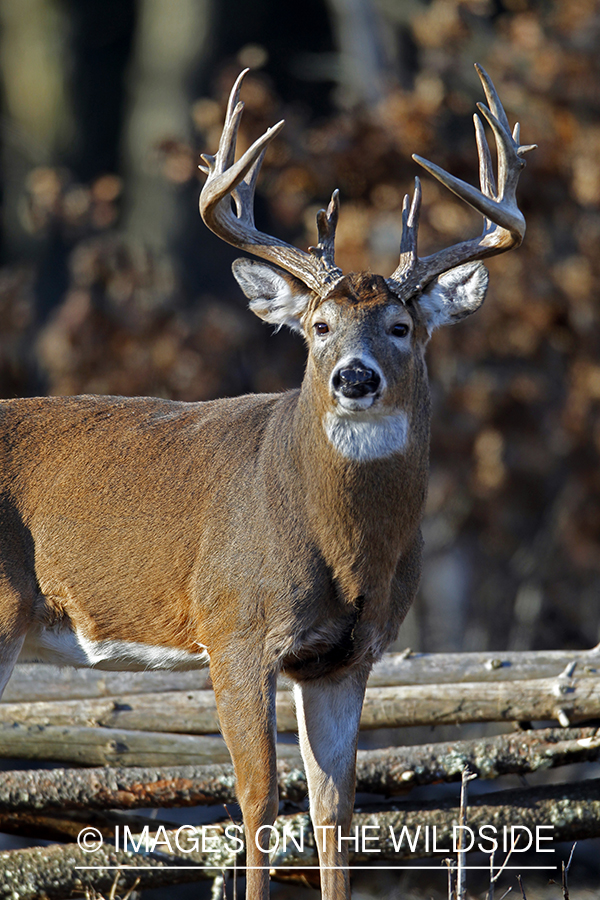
(328, 717)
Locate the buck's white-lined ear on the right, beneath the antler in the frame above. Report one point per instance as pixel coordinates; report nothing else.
(454, 295)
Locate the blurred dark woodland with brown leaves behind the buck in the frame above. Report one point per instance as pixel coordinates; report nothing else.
(110, 283)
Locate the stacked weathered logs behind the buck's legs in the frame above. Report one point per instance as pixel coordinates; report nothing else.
(152, 741)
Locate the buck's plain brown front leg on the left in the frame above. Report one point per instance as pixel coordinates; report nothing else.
(245, 698)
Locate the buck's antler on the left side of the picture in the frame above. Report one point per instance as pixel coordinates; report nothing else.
(228, 179)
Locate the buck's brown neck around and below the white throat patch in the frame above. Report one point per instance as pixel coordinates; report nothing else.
(354, 506)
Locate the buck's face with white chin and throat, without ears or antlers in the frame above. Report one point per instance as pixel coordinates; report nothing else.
(365, 354)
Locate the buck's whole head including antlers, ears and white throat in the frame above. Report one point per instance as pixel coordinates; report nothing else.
(365, 333)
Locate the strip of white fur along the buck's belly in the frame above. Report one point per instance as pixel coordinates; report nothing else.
(64, 647)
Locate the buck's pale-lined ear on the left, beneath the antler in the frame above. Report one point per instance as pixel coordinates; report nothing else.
(274, 295)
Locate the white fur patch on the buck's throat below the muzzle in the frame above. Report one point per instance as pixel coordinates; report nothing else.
(362, 440)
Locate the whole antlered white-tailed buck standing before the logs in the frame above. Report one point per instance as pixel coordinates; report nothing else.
(262, 534)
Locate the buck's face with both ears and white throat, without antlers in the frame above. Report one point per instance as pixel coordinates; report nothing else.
(366, 369)
